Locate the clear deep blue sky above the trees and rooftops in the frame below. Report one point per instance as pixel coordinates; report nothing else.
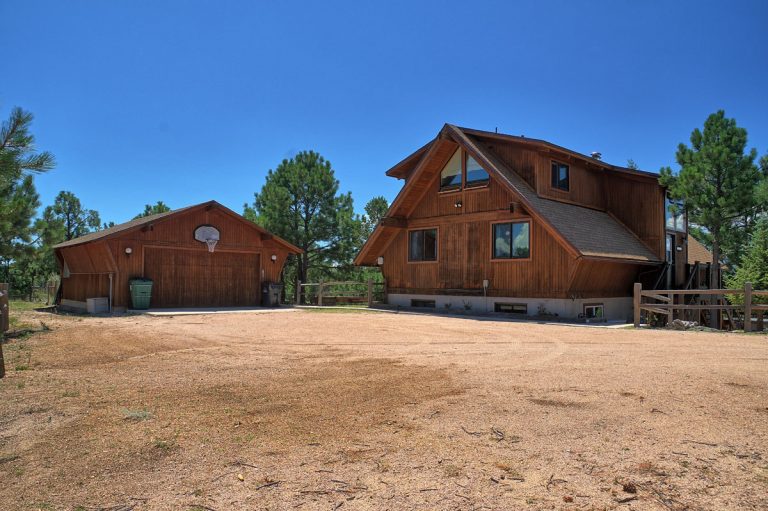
(186, 101)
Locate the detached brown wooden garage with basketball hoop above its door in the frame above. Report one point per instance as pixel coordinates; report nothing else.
(200, 256)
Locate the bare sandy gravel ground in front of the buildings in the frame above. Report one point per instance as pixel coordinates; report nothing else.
(342, 410)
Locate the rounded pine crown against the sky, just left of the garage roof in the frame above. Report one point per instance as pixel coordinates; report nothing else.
(66, 219)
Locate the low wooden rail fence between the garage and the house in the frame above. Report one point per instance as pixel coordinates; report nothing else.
(341, 293)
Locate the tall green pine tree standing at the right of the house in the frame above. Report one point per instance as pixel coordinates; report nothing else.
(717, 182)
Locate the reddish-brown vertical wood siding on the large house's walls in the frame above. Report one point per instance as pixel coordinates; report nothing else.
(464, 233)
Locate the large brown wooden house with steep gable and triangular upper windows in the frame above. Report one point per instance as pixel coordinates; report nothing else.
(493, 222)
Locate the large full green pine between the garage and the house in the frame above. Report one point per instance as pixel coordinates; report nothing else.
(300, 202)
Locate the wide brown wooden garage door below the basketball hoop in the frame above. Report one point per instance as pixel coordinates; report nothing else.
(198, 278)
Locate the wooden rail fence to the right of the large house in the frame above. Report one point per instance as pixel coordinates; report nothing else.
(667, 301)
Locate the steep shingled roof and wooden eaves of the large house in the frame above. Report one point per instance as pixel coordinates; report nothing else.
(583, 231)
